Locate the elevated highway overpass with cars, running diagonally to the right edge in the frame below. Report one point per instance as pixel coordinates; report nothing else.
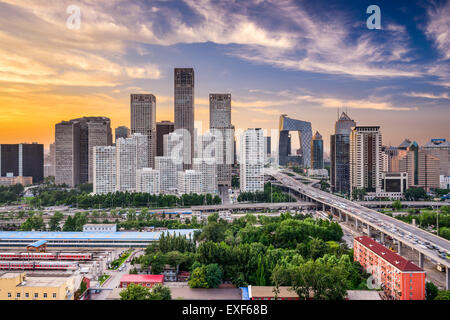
(426, 244)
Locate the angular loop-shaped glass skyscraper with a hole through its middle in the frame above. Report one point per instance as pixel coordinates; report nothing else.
(304, 131)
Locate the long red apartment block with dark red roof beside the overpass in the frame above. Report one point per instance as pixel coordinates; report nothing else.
(399, 278)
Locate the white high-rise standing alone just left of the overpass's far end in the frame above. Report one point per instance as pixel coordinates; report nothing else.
(252, 160)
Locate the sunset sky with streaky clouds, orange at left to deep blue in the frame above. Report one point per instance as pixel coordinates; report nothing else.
(301, 58)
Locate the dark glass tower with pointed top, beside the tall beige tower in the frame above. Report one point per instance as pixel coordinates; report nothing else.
(340, 154)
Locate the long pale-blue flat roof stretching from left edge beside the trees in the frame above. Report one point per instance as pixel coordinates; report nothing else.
(108, 236)
